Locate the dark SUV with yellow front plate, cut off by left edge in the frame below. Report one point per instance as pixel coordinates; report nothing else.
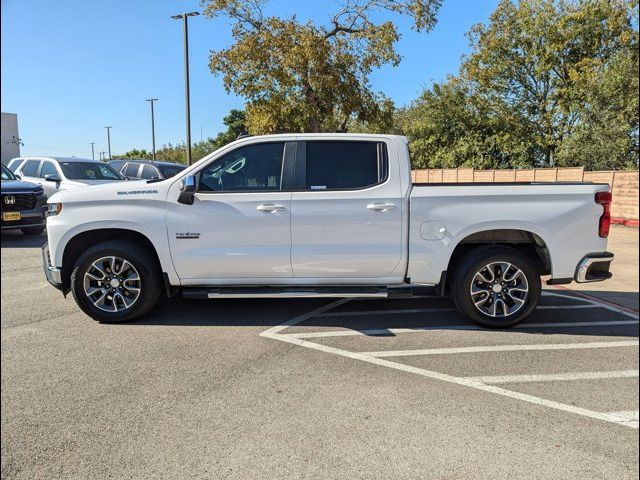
(23, 205)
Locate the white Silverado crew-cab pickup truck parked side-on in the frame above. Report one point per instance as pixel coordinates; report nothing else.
(329, 215)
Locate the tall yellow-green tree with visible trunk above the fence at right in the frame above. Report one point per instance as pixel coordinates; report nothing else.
(540, 61)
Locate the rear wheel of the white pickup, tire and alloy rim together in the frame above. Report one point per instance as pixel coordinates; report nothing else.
(497, 287)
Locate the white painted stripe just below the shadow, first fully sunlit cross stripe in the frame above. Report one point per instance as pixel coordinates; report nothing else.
(502, 348)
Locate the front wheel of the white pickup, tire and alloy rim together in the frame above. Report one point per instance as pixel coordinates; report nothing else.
(116, 281)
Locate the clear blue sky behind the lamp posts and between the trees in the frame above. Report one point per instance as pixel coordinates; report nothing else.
(70, 68)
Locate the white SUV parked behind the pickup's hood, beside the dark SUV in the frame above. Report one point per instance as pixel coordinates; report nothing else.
(62, 173)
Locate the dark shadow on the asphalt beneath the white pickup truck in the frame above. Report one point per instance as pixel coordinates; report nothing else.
(558, 316)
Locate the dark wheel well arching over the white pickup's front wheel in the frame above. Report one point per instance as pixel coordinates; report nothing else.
(82, 241)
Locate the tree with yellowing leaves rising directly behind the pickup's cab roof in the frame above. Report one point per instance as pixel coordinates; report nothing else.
(304, 77)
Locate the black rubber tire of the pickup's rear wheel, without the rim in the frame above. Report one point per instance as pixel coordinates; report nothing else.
(472, 263)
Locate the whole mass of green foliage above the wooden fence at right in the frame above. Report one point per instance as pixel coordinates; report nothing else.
(548, 83)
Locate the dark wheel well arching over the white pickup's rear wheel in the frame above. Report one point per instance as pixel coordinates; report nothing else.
(526, 242)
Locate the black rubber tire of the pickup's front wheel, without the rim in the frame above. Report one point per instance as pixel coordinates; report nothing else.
(147, 268)
